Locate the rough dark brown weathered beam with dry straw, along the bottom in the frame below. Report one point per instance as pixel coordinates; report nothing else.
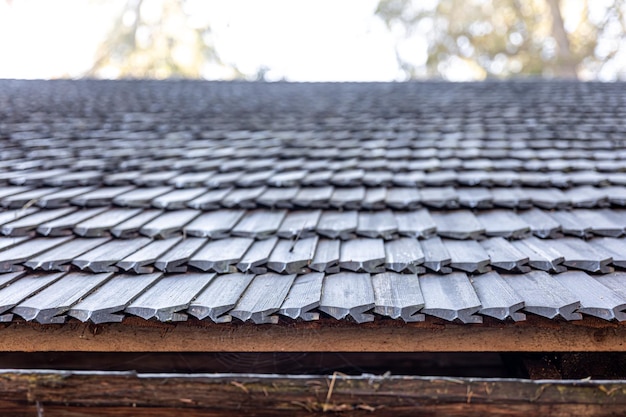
(52, 393)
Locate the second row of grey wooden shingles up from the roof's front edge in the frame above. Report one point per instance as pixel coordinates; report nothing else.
(142, 255)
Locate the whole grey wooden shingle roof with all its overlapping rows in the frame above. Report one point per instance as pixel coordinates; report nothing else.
(274, 203)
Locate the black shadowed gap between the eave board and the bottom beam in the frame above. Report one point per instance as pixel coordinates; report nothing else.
(473, 364)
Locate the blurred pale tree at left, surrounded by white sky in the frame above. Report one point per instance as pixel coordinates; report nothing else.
(159, 39)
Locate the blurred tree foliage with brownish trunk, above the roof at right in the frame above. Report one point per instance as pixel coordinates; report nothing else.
(474, 39)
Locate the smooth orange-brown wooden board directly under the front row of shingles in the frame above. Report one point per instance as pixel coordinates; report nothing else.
(138, 335)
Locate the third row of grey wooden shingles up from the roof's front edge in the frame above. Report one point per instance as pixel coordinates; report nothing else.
(335, 224)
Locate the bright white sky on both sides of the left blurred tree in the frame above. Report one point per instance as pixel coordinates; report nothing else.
(304, 40)
